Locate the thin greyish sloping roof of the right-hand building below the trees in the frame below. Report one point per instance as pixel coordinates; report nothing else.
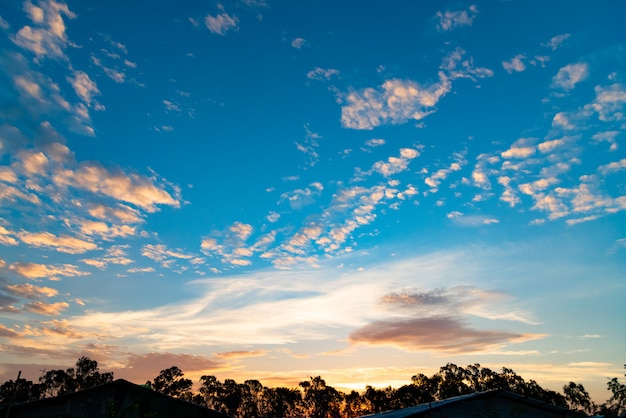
(414, 410)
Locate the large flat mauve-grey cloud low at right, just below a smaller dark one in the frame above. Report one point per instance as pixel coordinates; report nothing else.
(442, 334)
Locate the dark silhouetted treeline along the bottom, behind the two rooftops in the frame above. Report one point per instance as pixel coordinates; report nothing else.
(314, 398)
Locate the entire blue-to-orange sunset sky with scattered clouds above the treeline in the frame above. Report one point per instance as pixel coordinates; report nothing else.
(269, 189)
